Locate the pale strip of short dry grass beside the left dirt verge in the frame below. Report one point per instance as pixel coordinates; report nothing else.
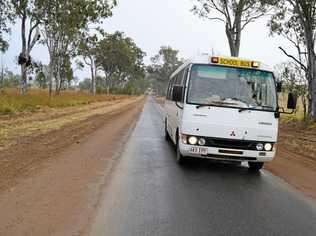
(42, 122)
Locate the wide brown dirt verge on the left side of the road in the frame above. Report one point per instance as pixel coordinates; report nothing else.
(45, 190)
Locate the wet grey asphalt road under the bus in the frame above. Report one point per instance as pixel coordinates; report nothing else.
(149, 194)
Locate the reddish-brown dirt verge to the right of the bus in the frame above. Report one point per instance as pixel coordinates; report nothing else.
(296, 157)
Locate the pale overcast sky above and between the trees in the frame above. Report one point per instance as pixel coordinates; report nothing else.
(153, 23)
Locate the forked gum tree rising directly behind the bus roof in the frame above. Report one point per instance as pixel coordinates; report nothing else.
(235, 14)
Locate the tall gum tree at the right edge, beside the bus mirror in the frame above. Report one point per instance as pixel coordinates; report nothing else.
(296, 21)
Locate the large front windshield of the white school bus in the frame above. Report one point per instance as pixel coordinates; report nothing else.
(235, 87)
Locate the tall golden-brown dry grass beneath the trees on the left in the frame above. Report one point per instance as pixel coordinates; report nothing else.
(11, 102)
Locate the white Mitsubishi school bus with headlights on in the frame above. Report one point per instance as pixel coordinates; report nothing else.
(225, 109)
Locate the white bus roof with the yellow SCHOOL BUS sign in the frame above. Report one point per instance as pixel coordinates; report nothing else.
(225, 61)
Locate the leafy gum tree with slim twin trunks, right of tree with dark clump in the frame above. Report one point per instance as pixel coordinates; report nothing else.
(63, 23)
